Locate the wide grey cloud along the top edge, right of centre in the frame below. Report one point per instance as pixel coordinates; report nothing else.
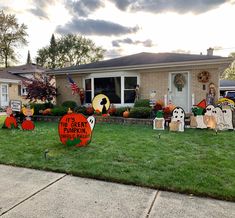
(159, 6)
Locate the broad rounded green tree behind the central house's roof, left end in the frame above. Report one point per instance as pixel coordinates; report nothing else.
(69, 50)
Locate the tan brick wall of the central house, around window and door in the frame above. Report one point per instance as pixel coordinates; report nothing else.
(152, 80)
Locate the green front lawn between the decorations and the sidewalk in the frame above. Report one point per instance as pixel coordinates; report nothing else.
(196, 161)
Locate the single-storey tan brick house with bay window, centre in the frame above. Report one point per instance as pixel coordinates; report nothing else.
(153, 72)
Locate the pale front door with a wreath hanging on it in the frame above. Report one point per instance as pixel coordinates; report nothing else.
(179, 89)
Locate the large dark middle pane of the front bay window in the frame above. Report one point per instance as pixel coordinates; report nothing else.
(109, 86)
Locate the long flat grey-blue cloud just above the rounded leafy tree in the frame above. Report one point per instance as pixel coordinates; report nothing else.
(95, 27)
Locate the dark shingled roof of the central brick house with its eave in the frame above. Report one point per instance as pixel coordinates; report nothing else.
(140, 60)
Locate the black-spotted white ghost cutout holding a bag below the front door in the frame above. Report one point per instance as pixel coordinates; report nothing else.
(177, 120)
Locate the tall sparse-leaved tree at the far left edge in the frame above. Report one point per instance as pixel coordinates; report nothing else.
(12, 36)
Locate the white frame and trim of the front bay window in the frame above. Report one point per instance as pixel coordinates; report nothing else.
(114, 74)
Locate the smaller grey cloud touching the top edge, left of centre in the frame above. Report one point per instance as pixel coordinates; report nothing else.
(83, 8)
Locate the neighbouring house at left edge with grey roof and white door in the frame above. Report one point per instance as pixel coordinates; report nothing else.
(11, 86)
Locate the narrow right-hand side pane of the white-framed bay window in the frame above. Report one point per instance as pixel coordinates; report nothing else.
(129, 89)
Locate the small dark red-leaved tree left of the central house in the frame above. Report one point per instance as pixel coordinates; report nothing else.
(40, 88)
